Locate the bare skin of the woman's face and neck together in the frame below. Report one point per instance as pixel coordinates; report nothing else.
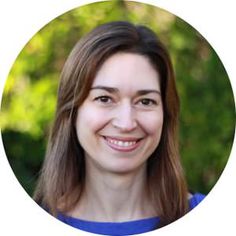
(119, 126)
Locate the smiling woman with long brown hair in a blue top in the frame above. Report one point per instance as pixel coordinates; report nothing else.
(112, 164)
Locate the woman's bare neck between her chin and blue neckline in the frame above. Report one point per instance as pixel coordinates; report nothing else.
(113, 197)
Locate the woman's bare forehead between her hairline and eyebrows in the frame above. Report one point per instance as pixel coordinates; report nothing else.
(127, 71)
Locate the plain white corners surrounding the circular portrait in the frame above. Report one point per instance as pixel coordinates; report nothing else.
(20, 20)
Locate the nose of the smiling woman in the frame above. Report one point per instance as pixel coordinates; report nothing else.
(125, 118)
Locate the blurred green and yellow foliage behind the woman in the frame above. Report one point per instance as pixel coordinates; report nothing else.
(207, 119)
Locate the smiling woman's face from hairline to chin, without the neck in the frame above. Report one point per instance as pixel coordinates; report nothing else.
(120, 122)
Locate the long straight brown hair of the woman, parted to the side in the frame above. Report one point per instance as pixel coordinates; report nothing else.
(63, 173)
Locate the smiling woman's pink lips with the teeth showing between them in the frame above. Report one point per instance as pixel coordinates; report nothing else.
(122, 144)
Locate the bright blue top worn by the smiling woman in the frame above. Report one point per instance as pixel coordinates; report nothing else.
(122, 228)
